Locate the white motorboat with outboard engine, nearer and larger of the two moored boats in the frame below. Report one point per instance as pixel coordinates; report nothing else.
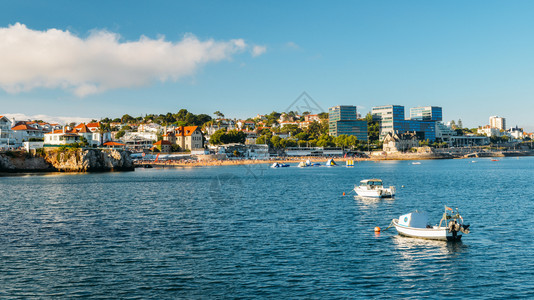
(415, 224)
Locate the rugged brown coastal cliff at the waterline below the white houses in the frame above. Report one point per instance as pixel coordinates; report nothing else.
(66, 160)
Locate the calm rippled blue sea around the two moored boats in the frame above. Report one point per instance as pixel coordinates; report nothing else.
(256, 232)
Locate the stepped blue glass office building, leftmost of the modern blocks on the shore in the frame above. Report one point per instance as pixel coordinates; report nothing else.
(342, 119)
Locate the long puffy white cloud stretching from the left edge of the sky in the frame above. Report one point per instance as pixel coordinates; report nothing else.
(59, 59)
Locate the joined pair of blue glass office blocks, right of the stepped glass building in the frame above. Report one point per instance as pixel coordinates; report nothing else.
(392, 119)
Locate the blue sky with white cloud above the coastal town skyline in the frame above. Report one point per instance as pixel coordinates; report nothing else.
(475, 58)
